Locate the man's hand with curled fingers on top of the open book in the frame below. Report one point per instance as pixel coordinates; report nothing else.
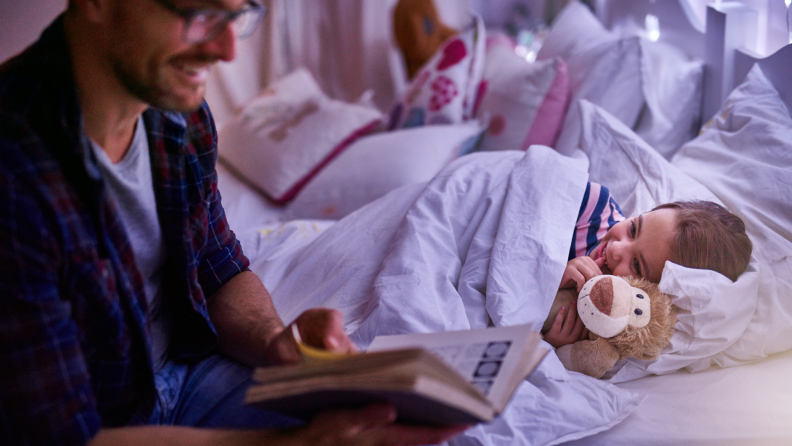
(319, 327)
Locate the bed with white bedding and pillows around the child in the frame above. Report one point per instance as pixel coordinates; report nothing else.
(384, 211)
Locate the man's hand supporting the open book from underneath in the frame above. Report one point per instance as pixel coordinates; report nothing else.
(371, 426)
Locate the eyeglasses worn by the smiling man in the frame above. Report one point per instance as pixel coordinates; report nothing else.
(203, 25)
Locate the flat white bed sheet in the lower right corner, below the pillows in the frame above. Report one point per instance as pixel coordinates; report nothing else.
(744, 405)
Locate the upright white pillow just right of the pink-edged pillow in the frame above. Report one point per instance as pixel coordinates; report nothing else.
(603, 69)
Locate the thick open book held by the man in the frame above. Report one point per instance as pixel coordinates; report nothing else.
(460, 377)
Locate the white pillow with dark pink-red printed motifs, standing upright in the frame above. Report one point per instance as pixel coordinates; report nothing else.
(446, 89)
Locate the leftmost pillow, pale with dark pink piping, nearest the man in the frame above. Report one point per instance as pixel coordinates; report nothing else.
(286, 135)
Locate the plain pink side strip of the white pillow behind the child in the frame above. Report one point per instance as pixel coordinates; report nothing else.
(550, 115)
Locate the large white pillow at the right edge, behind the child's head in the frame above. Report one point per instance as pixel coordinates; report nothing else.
(744, 155)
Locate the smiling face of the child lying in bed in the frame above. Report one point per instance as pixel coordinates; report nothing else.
(638, 246)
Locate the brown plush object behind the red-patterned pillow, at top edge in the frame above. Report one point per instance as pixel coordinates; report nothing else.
(419, 32)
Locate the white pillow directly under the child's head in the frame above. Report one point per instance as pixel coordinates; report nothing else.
(715, 311)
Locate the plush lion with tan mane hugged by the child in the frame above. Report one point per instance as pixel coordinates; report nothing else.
(626, 318)
